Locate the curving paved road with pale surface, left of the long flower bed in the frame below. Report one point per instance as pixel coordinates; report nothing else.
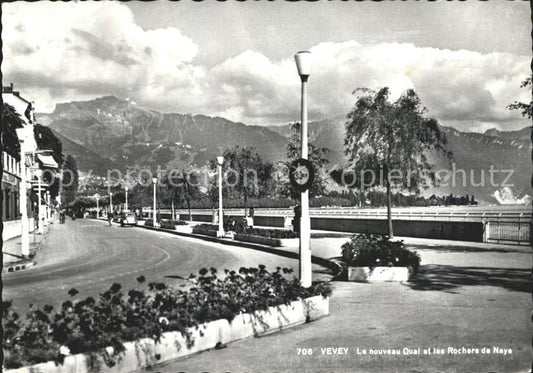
(89, 255)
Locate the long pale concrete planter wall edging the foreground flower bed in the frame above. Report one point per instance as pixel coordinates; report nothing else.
(172, 345)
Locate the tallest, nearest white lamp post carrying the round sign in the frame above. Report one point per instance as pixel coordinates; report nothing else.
(303, 64)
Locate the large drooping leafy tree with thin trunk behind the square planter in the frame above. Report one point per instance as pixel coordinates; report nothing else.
(390, 140)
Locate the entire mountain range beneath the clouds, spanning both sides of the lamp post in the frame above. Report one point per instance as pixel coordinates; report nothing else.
(112, 133)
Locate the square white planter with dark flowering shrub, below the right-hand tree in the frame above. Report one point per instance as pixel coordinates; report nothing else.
(376, 258)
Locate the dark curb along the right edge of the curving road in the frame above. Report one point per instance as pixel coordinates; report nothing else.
(335, 267)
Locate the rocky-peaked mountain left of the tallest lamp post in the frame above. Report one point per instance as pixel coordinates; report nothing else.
(131, 135)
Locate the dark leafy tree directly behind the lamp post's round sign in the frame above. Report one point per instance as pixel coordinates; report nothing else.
(317, 156)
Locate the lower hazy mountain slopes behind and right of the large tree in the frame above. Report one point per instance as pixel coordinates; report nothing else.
(472, 152)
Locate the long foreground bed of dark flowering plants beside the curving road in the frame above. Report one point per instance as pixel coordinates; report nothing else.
(90, 326)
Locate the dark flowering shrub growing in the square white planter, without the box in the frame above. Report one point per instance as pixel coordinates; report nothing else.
(375, 250)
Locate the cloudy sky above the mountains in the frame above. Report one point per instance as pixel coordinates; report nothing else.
(465, 60)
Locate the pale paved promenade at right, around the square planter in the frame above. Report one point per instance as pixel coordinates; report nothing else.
(465, 296)
